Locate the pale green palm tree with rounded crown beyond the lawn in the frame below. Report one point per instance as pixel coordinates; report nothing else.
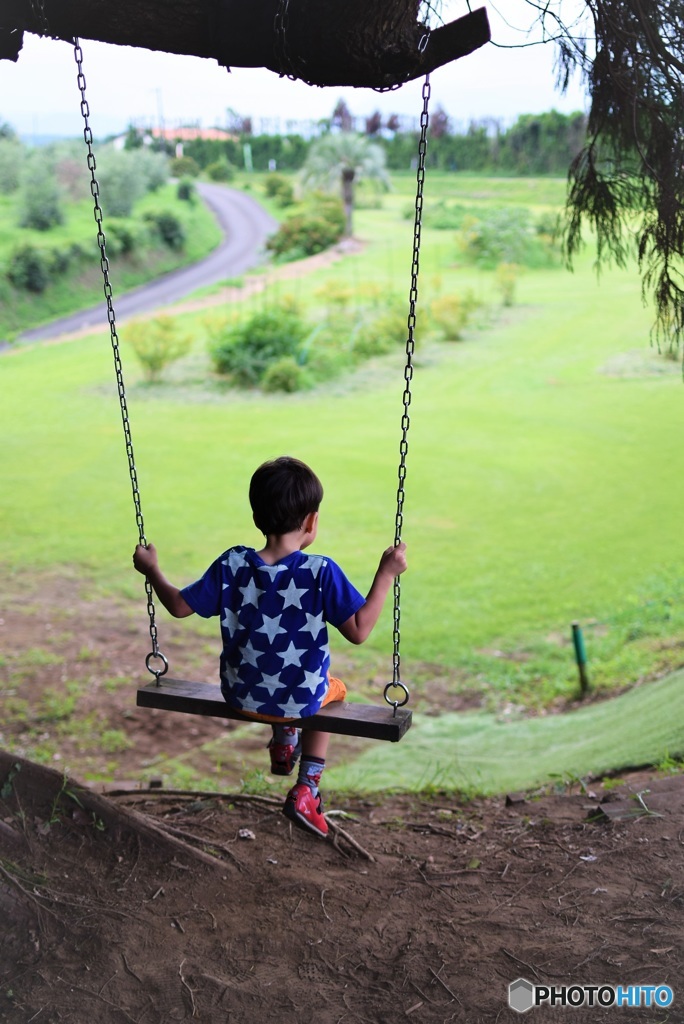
(343, 160)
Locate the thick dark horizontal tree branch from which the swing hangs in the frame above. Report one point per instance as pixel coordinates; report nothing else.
(362, 44)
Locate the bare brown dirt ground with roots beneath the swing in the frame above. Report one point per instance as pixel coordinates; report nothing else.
(129, 905)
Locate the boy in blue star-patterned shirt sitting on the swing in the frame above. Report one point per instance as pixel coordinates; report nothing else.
(275, 606)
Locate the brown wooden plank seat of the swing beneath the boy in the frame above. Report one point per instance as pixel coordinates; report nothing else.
(343, 717)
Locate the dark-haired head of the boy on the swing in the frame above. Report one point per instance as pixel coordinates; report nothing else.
(283, 493)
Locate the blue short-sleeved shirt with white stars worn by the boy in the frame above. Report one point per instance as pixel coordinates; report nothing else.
(276, 656)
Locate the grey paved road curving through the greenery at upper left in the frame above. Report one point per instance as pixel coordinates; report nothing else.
(246, 227)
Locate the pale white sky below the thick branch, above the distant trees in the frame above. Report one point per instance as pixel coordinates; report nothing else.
(38, 95)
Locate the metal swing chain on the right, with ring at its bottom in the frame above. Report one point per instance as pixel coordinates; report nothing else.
(408, 376)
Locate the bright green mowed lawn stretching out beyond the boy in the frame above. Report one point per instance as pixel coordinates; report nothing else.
(543, 483)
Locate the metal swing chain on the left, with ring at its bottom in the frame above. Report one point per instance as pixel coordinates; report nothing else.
(105, 268)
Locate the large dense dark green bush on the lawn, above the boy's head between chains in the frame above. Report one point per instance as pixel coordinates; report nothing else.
(245, 352)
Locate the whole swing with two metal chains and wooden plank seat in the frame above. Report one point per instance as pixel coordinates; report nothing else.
(346, 718)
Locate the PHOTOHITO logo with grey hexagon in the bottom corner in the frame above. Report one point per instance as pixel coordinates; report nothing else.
(523, 996)
